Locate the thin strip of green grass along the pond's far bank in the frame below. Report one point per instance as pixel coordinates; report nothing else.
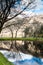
(24, 39)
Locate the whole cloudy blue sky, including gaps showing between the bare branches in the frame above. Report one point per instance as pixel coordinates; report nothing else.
(35, 11)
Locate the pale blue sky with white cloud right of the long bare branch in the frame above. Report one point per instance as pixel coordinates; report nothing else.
(37, 10)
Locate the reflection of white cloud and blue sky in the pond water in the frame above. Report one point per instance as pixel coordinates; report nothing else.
(22, 59)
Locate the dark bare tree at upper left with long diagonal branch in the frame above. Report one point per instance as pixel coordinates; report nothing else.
(5, 6)
